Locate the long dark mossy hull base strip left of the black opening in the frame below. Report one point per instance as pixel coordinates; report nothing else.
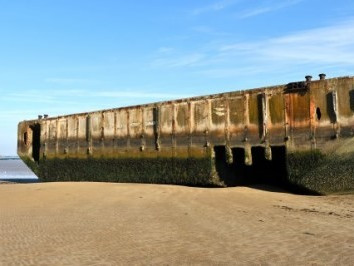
(191, 171)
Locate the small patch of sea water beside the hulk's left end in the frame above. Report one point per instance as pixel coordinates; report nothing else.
(13, 169)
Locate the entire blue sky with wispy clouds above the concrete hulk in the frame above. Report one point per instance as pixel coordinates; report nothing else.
(66, 56)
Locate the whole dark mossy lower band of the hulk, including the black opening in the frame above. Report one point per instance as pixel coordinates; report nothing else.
(304, 172)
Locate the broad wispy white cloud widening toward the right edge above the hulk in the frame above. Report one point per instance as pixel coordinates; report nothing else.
(330, 48)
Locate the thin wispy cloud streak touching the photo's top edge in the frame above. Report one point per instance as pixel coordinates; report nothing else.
(270, 7)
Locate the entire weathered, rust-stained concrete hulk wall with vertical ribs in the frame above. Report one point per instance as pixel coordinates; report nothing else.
(177, 141)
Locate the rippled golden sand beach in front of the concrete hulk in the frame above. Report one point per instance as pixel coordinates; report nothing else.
(109, 224)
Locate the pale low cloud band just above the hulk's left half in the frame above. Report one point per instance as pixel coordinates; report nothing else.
(55, 102)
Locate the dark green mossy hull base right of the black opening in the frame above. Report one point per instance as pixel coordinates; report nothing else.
(321, 173)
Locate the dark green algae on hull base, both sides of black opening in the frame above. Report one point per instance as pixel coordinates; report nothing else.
(308, 171)
